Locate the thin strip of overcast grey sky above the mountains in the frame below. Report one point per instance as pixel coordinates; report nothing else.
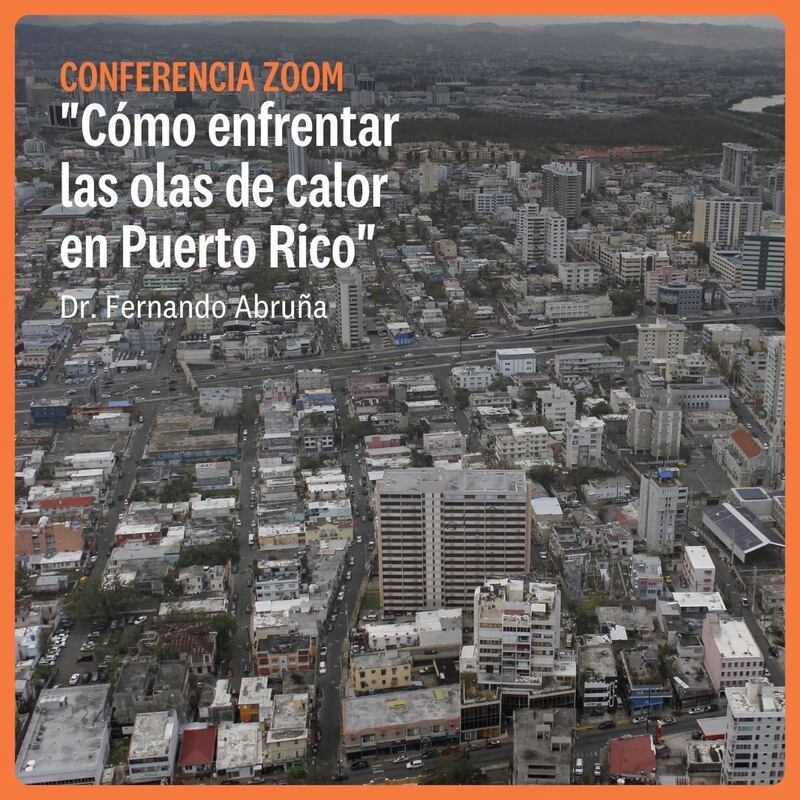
(759, 21)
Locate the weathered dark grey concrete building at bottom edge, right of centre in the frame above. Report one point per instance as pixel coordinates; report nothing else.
(543, 745)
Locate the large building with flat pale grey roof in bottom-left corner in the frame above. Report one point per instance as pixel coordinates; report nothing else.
(67, 738)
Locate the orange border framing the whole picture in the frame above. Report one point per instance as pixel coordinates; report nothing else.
(13, 10)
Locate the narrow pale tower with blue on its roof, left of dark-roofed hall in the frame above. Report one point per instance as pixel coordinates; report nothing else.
(662, 509)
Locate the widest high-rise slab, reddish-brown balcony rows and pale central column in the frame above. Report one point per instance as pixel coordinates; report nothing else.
(440, 532)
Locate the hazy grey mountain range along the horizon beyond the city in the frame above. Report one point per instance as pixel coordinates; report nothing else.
(589, 38)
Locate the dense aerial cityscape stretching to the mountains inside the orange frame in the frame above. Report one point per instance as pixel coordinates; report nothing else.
(502, 502)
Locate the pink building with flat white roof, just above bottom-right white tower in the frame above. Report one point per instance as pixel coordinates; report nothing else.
(731, 655)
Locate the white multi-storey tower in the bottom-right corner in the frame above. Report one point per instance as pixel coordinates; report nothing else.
(755, 734)
